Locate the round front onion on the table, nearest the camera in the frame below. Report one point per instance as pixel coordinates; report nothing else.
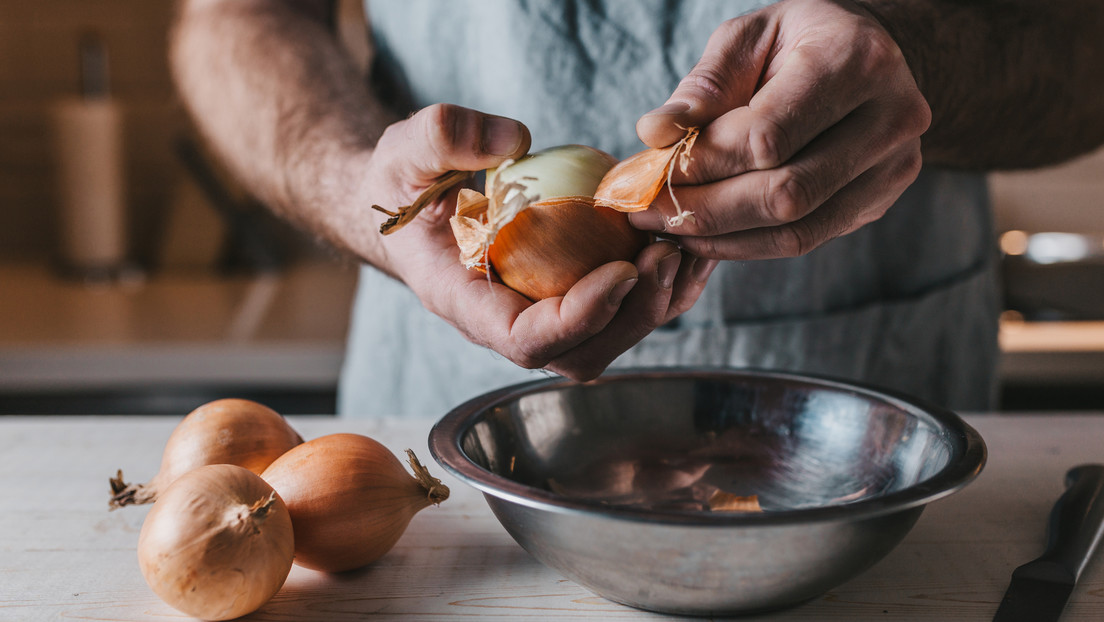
(218, 544)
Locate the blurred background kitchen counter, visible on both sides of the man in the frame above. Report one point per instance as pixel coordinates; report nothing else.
(278, 335)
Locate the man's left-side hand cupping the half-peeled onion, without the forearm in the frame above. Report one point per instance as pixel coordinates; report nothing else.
(577, 335)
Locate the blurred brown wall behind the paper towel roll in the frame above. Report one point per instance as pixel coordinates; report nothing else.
(39, 65)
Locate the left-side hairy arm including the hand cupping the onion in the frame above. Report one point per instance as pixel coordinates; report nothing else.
(278, 100)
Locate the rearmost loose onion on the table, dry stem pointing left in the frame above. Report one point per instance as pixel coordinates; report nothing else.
(231, 431)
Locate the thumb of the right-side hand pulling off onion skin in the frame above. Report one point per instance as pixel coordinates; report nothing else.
(724, 80)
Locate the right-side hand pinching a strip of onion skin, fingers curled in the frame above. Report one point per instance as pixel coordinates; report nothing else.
(811, 125)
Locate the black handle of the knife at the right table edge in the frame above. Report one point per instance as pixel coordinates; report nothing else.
(1077, 523)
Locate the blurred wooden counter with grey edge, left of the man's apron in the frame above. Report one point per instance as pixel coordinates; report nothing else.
(280, 332)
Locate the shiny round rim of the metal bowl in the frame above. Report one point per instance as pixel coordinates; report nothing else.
(969, 456)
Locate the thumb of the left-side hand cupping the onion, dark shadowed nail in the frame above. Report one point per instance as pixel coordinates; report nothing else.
(445, 138)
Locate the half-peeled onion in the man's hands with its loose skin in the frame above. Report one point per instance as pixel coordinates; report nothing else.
(550, 218)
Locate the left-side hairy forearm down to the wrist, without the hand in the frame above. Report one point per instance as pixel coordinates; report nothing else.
(284, 109)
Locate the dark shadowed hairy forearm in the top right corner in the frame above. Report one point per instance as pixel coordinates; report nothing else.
(1012, 85)
